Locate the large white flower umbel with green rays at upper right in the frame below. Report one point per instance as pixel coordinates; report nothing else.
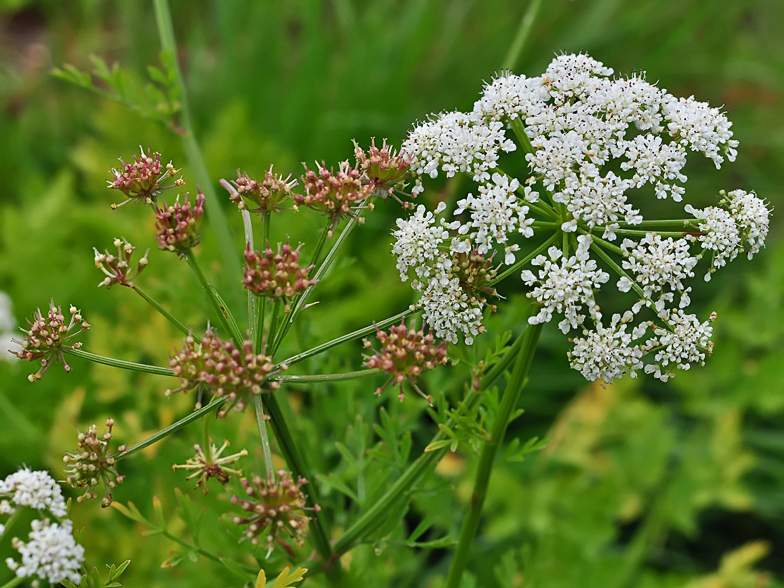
(588, 139)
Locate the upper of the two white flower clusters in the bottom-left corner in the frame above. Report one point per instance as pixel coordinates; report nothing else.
(35, 489)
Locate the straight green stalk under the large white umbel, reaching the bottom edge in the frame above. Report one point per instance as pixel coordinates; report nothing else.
(487, 458)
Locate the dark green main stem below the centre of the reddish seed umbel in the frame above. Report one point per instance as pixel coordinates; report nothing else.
(300, 469)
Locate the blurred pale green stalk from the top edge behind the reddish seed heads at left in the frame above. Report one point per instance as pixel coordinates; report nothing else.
(191, 147)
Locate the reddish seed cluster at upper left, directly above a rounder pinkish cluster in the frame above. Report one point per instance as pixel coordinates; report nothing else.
(142, 179)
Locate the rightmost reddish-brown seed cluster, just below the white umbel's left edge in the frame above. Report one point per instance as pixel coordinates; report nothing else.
(405, 353)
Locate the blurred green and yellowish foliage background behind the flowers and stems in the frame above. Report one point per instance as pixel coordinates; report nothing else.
(643, 484)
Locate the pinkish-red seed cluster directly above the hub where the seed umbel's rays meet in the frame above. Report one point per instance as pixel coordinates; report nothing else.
(276, 275)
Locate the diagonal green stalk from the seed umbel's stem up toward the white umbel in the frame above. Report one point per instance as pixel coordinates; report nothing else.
(379, 511)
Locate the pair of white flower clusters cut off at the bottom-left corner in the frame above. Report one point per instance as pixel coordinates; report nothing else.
(51, 553)
